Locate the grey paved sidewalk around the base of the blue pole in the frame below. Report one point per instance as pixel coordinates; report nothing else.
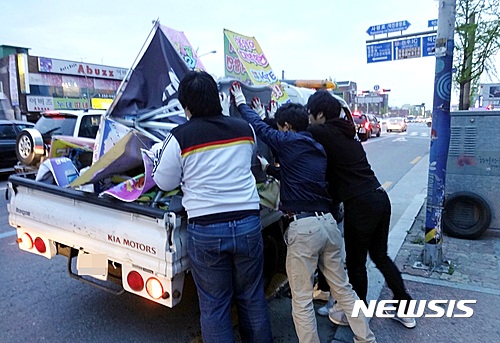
(471, 271)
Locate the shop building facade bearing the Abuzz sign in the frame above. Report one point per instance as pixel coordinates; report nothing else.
(35, 84)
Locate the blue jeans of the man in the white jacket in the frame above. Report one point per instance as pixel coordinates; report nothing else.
(227, 262)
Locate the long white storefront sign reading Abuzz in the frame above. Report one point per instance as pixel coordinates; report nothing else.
(51, 65)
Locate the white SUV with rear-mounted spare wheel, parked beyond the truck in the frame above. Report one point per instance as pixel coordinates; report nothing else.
(33, 144)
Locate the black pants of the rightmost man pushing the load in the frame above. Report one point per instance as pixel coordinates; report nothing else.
(366, 230)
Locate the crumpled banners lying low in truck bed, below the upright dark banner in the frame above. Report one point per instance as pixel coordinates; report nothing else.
(118, 164)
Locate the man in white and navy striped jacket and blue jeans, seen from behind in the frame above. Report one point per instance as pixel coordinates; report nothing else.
(210, 158)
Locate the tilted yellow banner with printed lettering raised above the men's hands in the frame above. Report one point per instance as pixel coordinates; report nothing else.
(255, 63)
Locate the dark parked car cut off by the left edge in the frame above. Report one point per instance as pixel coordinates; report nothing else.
(9, 129)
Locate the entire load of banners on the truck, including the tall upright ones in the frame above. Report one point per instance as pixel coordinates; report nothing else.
(119, 164)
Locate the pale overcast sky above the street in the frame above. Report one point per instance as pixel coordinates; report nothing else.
(316, 39)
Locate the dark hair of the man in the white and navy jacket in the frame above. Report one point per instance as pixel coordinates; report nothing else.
(198, 92)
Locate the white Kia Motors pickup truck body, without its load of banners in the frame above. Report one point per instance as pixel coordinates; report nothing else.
(139, 249)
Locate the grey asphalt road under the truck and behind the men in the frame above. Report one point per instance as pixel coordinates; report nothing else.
(41, 303)
